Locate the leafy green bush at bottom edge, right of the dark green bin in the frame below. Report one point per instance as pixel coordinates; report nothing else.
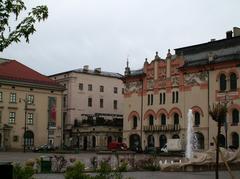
(76, 172)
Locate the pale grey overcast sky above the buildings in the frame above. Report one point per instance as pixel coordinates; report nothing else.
(104, 33)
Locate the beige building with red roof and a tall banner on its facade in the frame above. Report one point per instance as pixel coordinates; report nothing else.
(30, 107)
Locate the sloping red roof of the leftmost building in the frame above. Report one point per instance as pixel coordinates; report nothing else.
(12, 70)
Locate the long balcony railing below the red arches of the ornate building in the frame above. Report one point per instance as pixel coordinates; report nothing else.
(159, 128)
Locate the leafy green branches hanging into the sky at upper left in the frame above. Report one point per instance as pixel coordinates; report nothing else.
(24, 27)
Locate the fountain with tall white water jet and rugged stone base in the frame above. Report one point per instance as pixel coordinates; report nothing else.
(201, 160)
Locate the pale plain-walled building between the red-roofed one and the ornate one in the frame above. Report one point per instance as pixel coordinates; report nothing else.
(92, 104)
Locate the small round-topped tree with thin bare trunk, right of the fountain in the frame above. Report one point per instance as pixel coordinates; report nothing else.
(218, 113)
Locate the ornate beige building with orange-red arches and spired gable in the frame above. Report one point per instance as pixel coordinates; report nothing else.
(158, 97)
